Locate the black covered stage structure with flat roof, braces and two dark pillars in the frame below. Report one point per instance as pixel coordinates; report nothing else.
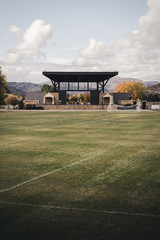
(94, 82)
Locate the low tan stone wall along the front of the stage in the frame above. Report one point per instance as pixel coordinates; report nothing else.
(75, 107)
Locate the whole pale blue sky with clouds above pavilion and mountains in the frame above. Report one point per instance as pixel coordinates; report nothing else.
(79, 35)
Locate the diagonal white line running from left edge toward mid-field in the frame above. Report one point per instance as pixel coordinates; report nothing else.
(49, 173)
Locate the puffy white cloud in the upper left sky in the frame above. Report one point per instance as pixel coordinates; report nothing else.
(32, 41)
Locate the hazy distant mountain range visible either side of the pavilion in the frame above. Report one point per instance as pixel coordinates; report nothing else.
(22, 88)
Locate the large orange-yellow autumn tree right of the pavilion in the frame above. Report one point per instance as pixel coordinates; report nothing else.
(136, 90)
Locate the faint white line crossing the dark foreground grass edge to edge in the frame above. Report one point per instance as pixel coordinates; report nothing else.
(81, 209)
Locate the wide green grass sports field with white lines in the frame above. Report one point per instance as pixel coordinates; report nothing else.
(81, 175)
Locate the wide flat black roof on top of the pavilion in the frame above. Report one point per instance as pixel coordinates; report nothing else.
(79, 76)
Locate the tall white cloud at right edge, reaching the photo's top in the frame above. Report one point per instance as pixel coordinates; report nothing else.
(141, 48)
